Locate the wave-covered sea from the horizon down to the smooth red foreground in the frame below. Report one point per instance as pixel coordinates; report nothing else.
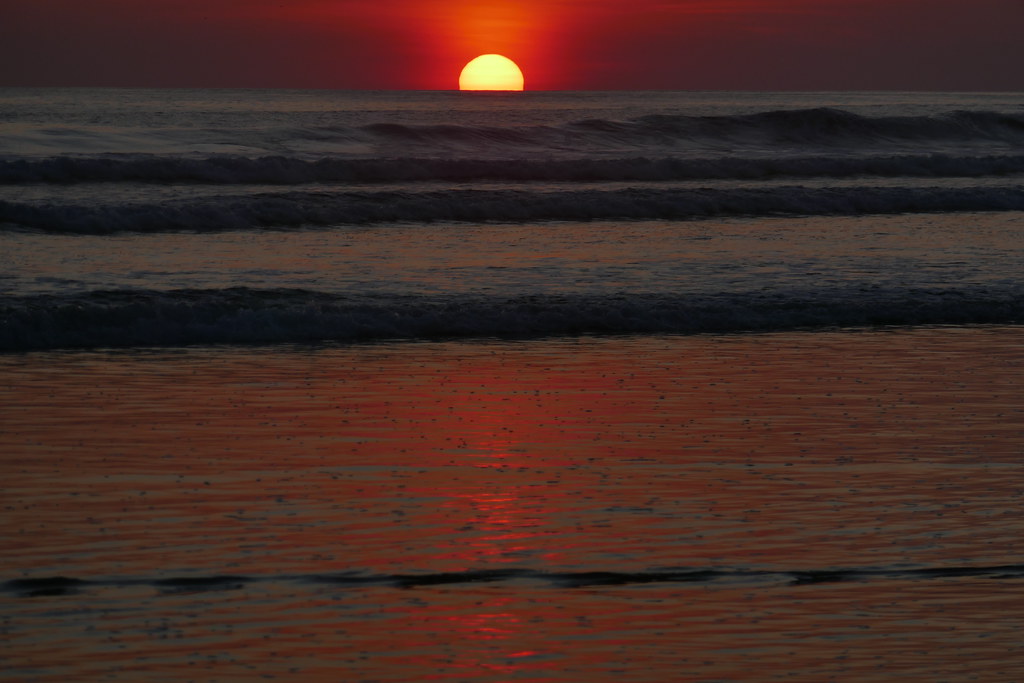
(176, 218)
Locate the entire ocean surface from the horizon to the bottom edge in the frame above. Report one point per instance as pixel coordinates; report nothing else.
(538, 387)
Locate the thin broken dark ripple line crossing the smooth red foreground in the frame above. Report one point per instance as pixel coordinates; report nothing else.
(60, 586)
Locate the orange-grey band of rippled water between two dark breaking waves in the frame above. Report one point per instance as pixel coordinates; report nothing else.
(787, 255)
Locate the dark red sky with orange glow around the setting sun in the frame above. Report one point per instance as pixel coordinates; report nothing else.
(560, 45)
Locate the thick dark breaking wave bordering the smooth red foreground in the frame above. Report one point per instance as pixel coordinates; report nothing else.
(242, 316)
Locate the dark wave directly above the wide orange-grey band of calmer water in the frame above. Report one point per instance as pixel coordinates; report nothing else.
(284, 210)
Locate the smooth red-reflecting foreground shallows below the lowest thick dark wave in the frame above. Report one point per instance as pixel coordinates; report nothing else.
(799, 506)
